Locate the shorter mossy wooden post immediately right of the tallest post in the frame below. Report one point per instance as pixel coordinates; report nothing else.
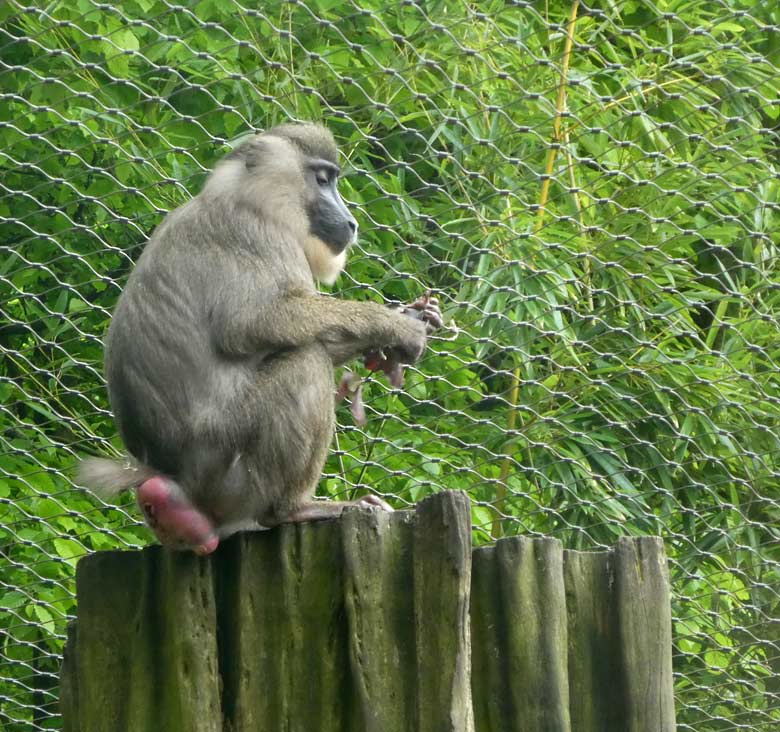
(520, 677)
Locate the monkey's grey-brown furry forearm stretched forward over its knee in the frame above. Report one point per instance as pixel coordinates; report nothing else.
(346, 329)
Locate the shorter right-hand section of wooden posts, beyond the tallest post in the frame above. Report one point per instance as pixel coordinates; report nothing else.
(567, 641)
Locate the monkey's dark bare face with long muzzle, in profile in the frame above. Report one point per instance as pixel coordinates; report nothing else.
(329, 219)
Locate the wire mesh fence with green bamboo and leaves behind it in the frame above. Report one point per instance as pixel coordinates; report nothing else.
(592, 192)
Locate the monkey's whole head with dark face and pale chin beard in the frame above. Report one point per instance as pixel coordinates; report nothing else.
(289, 174)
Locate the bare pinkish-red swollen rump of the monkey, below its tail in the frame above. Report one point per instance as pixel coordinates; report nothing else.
(173, 518)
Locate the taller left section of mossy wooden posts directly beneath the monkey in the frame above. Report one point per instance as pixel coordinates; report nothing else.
(355, 625)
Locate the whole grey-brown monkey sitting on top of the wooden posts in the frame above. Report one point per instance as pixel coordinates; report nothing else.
(220, 353)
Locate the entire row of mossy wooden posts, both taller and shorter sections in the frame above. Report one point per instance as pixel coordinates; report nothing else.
(363, 625)
